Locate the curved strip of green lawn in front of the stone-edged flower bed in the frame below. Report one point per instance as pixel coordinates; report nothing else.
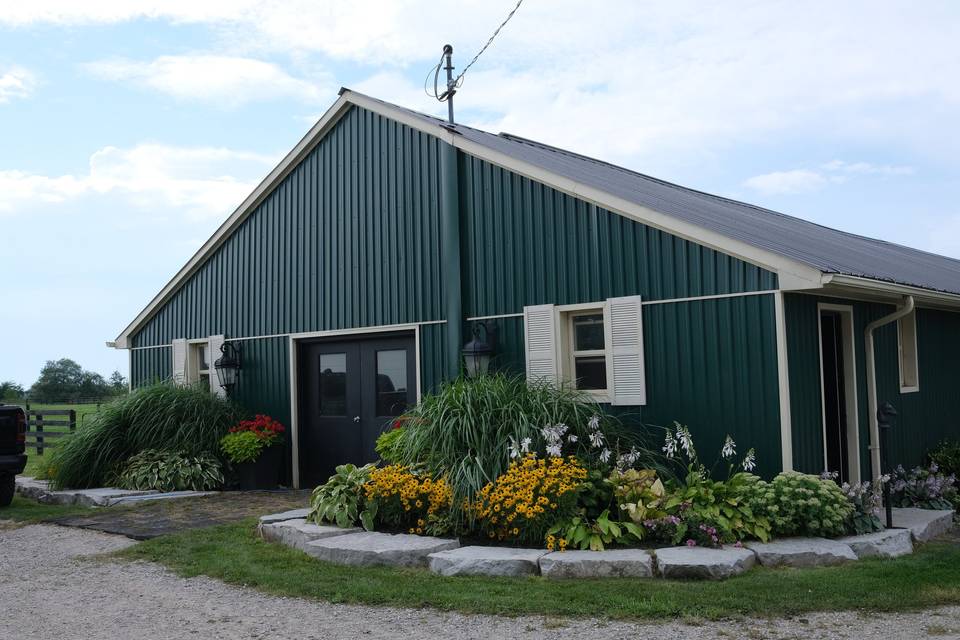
(233, 553)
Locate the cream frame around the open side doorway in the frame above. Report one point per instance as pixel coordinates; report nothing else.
(849, 383)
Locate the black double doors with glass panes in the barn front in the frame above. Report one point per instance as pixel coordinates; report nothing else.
(350, 391)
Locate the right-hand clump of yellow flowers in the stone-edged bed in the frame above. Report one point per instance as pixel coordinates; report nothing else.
(531, 497)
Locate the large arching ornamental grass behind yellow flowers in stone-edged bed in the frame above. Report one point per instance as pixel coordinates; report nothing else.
(467, 427)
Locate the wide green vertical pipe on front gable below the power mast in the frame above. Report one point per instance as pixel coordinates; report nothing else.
(450, 256)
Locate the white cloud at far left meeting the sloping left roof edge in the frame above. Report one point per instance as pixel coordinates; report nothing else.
(200, 181)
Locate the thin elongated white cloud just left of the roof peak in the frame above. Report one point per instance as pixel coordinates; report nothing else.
(225, 80)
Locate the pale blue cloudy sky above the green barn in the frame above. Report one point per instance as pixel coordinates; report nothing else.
(129, 130)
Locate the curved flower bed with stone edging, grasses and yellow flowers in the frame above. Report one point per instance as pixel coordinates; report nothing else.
(503, 473)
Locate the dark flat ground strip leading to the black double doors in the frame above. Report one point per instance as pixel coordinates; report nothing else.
(149, 519)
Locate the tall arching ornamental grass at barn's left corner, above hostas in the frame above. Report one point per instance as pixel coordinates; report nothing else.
(160, 416)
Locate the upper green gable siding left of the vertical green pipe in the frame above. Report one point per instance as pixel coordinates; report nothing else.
(349, 239)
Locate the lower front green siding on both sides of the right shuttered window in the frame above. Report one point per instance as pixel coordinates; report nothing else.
(710, 364)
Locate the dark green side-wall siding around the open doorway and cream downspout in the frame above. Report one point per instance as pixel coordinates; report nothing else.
(926, 417)
